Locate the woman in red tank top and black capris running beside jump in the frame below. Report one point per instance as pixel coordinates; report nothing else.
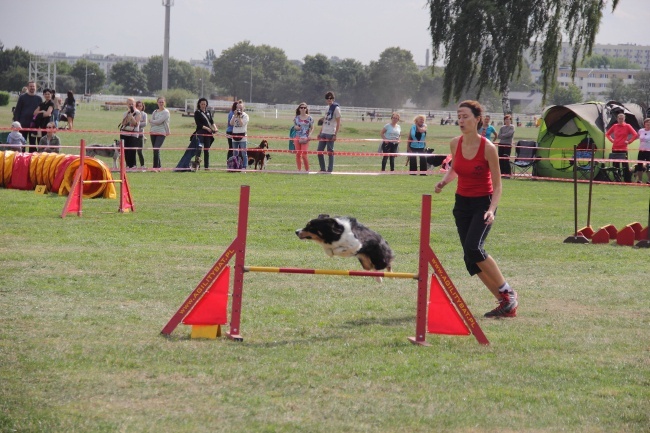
(476, 165)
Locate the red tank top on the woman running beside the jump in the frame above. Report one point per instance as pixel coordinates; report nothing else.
(474, 177)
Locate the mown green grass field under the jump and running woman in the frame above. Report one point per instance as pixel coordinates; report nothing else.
(84, 300)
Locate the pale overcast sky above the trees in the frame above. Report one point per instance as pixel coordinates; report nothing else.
(358, 29)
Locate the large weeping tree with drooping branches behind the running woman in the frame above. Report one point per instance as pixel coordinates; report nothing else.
(483, 40)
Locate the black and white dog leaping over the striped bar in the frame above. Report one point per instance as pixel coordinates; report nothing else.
(346, 237)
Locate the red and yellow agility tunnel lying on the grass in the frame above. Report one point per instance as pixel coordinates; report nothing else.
(56, 171)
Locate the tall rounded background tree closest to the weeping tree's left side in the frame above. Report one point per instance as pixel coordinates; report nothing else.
(394, 77)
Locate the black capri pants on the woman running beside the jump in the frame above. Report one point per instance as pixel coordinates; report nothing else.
(472, 230)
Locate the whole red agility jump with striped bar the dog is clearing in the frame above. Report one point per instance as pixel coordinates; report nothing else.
(453, 316)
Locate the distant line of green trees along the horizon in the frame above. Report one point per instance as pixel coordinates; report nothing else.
(388, 82)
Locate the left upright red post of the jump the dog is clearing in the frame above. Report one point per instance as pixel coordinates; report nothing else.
(240, 259)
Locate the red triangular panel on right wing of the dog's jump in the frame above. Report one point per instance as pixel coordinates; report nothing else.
(442, 317)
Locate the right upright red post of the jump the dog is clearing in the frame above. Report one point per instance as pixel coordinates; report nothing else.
(423, 271)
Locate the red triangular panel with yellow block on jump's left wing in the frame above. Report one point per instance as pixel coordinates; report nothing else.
(211, 310)
